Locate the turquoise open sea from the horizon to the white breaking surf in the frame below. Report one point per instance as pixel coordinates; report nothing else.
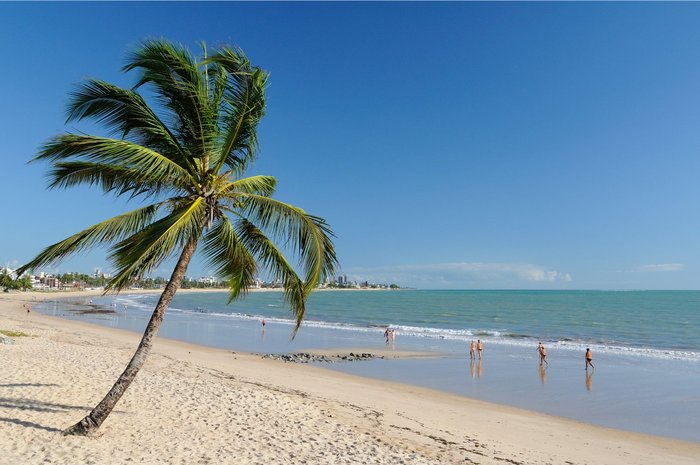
(652, 323)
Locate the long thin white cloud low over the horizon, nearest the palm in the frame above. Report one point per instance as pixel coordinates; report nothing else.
(464, 275)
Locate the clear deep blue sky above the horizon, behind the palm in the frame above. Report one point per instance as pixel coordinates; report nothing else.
(450, 145)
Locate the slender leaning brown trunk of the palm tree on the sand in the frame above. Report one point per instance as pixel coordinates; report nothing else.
(94, 419)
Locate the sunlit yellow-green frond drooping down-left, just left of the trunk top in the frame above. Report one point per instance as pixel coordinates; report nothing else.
(145, 250)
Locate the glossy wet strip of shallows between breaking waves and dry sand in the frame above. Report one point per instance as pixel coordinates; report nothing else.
(626, 393)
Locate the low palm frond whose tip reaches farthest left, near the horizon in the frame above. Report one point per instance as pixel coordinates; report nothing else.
(107, 232)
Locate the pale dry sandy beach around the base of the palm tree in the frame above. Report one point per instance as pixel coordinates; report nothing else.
(192, 404)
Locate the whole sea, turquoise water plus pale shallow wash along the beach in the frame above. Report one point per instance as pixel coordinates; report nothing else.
(646, 344)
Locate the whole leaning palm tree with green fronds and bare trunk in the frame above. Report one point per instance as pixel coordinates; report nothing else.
(185, 158)
